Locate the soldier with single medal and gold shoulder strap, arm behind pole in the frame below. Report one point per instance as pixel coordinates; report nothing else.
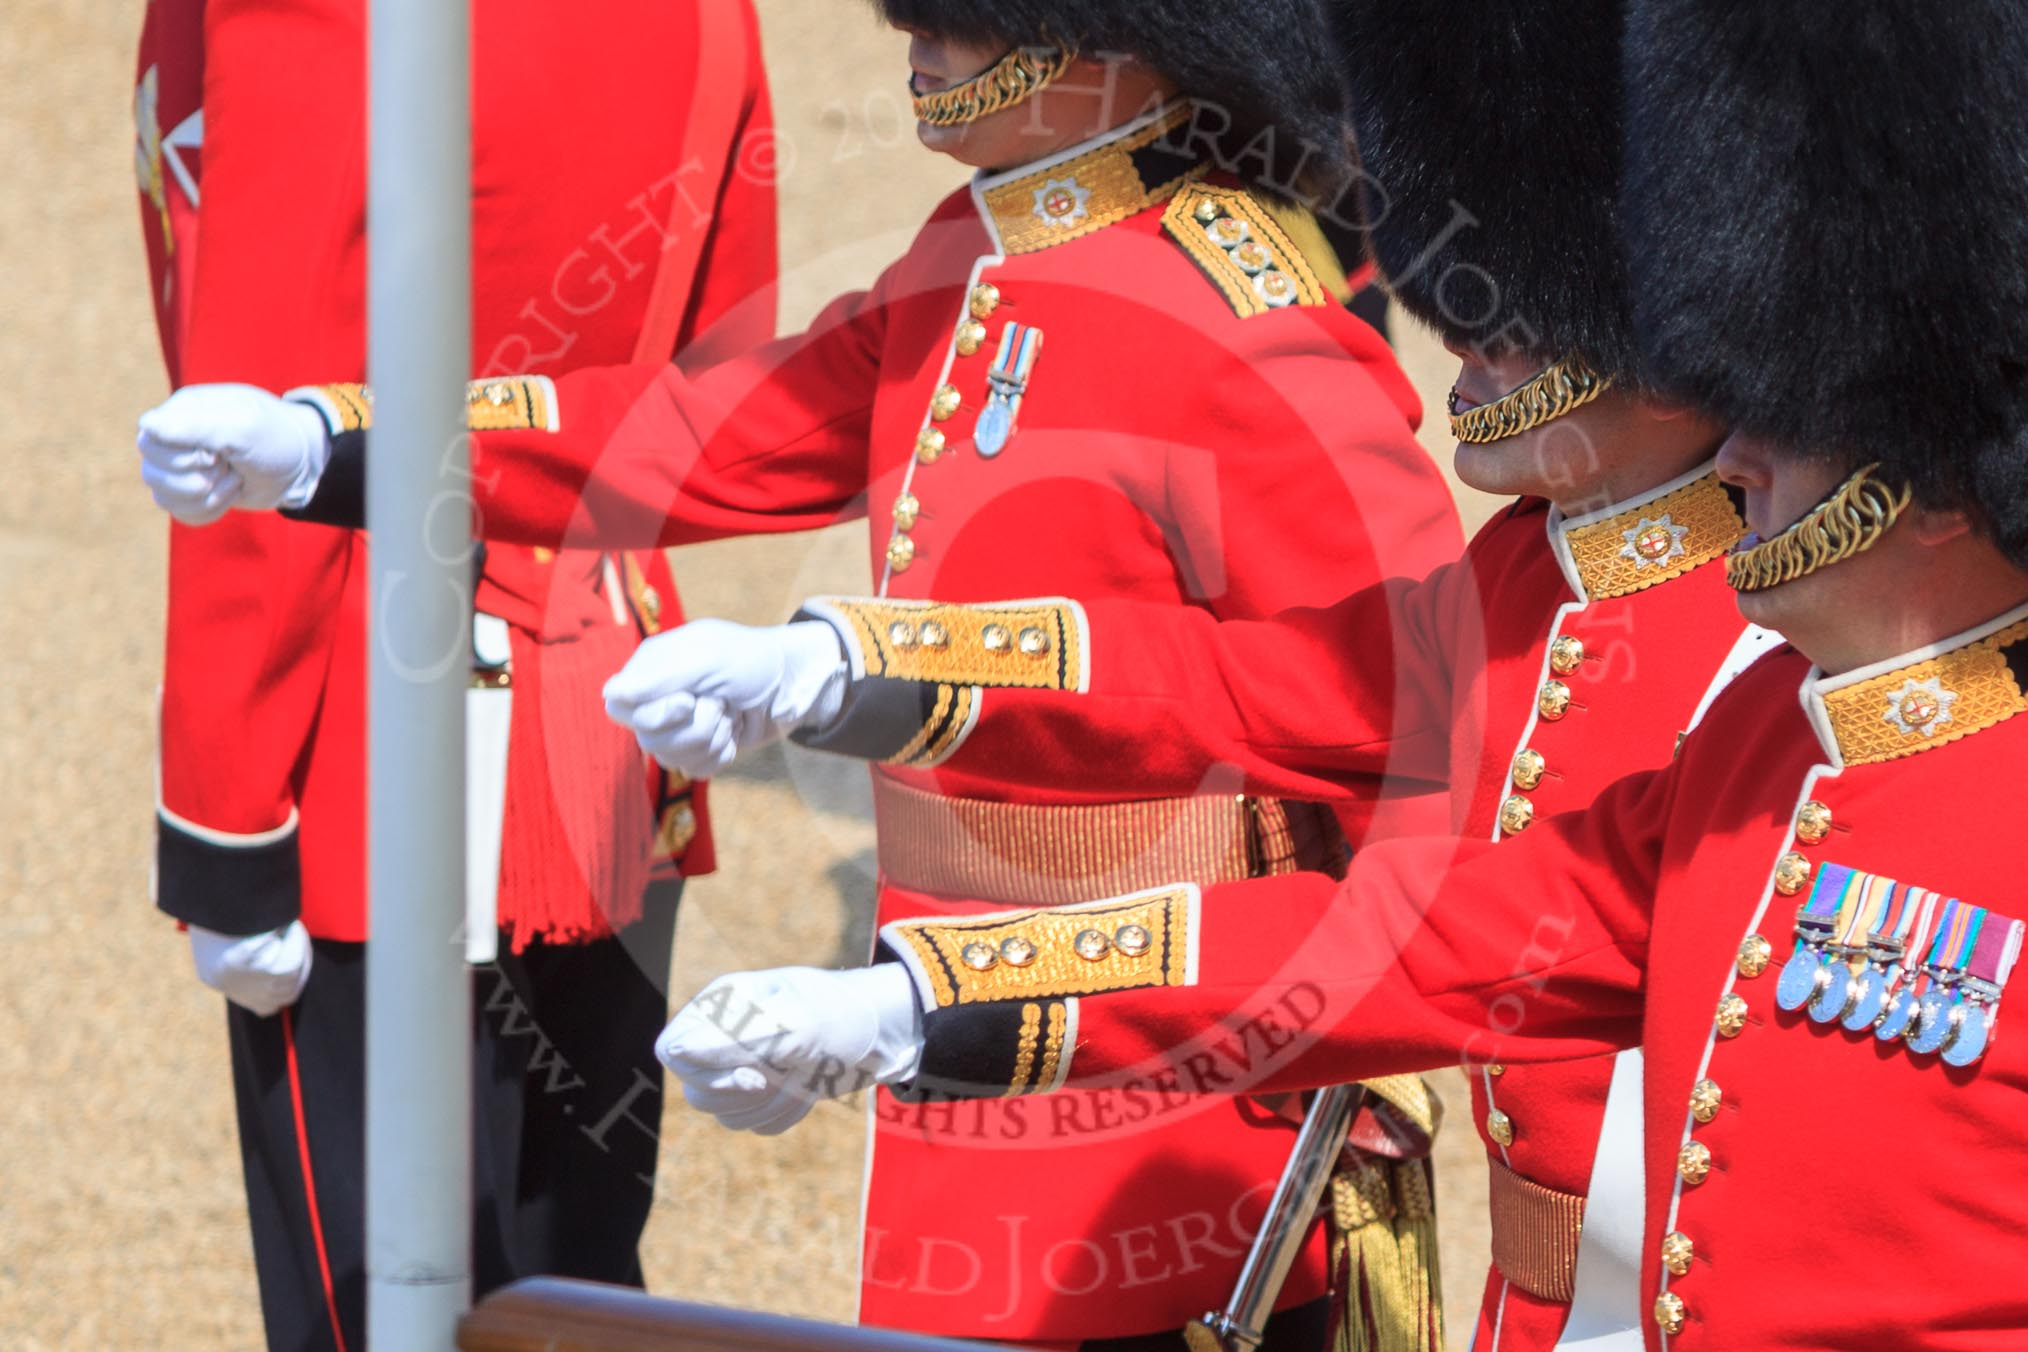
(1114, 366)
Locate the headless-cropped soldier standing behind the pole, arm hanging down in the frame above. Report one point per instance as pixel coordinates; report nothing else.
(613, 220)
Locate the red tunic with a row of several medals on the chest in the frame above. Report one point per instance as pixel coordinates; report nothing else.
(1660, 917)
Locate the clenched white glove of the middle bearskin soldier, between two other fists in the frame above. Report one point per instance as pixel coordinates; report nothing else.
(705, 694)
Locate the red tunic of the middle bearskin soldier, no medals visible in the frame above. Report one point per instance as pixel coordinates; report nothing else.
(1625, 609)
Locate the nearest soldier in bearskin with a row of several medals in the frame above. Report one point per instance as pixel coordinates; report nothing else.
(1806, 919)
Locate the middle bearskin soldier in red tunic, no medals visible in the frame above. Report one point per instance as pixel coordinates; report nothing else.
(1581, 637)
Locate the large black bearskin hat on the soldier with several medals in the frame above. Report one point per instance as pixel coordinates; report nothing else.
(1828, 214)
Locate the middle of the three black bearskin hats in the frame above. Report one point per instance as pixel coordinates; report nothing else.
(1490, 137)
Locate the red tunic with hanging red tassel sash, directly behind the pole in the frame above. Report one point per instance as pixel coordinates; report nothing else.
(601, 135)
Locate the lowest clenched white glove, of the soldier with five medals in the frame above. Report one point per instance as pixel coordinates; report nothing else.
(759, 1049)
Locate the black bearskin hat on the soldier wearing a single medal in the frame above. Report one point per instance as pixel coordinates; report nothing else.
(1269, 66)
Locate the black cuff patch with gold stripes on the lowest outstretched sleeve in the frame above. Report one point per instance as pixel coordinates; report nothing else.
(989, 1051)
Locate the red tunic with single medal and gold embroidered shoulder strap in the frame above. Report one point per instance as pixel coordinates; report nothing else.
(1202, 429)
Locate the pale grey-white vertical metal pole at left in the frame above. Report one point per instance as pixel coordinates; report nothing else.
(419, 990)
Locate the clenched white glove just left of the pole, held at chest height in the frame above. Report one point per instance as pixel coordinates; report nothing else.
(210, 449)
